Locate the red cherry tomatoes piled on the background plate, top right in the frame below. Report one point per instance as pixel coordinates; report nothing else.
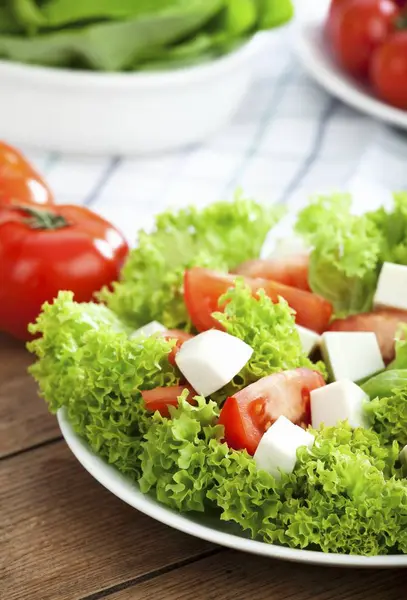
(369, 40)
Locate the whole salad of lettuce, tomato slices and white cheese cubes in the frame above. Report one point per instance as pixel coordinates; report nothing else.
(269, 393)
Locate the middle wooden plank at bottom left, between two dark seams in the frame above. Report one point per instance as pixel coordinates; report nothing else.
(65, 536)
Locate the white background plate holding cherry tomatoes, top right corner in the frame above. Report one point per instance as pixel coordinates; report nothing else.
(315, 56)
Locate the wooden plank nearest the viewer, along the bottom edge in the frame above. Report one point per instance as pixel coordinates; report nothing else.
(244, 577)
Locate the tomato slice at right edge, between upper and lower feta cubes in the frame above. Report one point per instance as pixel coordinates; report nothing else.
(384, 323)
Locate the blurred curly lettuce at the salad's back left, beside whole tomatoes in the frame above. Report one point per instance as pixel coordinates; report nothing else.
(220, 237)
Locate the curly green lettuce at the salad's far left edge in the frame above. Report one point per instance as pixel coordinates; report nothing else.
(88, 366)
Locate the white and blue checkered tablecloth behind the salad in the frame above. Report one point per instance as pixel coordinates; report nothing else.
(289, 139)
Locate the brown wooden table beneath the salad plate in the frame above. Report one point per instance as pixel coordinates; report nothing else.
(64, 537)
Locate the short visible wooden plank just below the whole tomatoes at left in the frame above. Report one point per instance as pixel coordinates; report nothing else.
(24, 419)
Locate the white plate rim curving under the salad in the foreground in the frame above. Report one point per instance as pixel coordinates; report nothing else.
(200, 526)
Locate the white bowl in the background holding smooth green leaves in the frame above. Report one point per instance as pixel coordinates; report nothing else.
(122, 113)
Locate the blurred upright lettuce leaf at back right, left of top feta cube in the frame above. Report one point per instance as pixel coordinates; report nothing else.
(346, 250)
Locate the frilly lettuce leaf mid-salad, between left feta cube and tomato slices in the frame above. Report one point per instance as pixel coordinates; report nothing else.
(268, 328)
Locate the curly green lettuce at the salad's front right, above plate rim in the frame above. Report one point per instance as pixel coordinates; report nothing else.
(340, 497)
